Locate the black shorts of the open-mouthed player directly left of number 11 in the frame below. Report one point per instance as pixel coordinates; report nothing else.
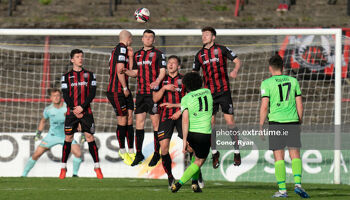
(166, 128)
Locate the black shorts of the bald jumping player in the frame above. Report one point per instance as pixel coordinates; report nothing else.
(119, 103)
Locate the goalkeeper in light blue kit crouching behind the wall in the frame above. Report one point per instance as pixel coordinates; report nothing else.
(56, 114)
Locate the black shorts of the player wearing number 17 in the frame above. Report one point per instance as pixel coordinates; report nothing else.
(289, 135)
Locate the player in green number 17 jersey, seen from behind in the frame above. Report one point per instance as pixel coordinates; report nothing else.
(282, 95)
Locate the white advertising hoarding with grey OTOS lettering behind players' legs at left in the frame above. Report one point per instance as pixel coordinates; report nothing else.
(16, 149)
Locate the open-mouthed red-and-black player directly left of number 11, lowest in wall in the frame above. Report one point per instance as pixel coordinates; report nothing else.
(170, 93)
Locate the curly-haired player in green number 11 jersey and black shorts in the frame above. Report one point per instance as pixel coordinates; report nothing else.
(197, 109)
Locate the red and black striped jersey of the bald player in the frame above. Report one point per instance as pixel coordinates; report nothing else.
(119, 55)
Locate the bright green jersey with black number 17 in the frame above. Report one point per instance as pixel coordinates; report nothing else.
(281, 91)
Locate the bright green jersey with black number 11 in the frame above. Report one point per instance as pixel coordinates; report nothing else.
(199, 104)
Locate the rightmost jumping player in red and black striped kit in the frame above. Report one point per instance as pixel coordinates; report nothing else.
(212, 58)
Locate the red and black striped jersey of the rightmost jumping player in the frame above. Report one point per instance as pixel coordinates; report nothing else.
(214, 66)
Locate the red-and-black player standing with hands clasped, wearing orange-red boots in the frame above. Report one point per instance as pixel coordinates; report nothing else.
(79, 89)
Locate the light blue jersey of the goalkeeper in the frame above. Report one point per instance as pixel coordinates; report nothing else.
(57, 118)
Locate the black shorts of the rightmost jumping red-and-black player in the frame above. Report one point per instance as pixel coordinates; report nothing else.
(225, 101)
